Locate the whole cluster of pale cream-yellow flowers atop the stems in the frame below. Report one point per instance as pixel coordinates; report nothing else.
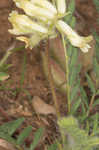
(41, 20)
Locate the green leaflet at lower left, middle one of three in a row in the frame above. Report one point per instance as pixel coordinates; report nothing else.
(24, 134)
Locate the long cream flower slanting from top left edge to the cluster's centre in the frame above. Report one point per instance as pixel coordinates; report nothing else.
(33, 10)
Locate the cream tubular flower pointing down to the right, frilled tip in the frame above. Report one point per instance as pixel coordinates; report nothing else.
(74, 38)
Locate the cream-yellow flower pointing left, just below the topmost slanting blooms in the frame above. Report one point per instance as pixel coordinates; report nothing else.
(24, 25)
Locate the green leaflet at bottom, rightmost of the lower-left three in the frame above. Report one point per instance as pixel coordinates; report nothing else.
(36, 139)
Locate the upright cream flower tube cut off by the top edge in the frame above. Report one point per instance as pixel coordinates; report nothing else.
(61, 6)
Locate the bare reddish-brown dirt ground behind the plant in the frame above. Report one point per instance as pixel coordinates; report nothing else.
(15, 103)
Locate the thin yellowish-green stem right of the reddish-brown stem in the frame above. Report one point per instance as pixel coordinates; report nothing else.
(67, 74)
